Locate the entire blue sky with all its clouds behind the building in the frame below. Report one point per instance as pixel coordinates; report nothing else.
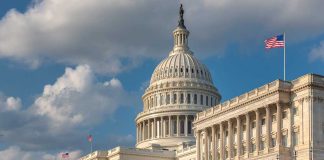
(73, 68)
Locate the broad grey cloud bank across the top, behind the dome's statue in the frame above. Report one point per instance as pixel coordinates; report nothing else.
(112, 36)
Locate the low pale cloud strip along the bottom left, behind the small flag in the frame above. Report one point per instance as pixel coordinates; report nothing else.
(14, 153)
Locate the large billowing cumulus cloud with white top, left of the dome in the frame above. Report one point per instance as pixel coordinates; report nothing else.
(61, 116)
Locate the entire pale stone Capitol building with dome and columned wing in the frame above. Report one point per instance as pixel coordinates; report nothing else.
(183, 119)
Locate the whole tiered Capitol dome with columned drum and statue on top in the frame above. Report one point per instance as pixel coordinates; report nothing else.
(180, 87)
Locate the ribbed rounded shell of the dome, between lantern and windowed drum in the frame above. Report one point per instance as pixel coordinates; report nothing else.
(183, 65)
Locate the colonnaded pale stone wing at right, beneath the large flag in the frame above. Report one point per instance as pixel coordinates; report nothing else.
(274, 121)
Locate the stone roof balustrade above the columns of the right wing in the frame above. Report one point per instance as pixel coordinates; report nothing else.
(263, 90)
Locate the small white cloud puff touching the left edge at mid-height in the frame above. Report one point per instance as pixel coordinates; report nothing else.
(9, 103)
